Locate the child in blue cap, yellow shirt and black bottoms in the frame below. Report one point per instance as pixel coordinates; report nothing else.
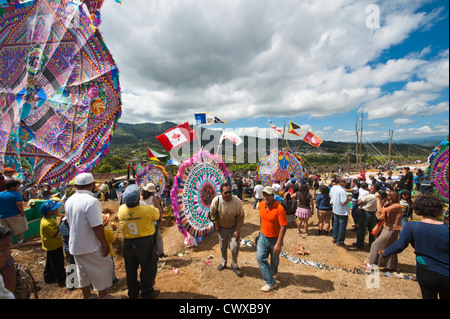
(52, 242)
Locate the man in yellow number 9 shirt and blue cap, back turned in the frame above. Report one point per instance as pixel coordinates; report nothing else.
(139, 244)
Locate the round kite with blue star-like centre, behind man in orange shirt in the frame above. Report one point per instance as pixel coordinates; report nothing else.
(279, 165)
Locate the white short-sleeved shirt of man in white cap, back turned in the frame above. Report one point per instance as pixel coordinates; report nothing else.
(83, 212)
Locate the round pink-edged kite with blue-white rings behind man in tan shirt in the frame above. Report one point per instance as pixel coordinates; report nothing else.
(196, 184)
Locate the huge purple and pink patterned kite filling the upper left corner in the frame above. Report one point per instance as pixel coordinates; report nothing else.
(59, 89)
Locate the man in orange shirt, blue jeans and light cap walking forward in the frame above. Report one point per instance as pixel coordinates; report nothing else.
(273, 229)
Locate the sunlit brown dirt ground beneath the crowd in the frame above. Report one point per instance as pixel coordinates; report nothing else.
(198, 278)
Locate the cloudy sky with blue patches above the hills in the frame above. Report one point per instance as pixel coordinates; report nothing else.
(317, 63)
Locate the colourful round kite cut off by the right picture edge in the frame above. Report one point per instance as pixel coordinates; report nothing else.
(439, 169)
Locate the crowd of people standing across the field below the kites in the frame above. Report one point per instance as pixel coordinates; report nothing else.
(80, 255)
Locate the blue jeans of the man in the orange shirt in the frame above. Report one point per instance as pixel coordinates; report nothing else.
(264, 249)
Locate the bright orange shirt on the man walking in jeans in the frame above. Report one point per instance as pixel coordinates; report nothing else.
(272, 219)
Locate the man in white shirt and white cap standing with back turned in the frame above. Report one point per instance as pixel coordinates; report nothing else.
(87, 242)
